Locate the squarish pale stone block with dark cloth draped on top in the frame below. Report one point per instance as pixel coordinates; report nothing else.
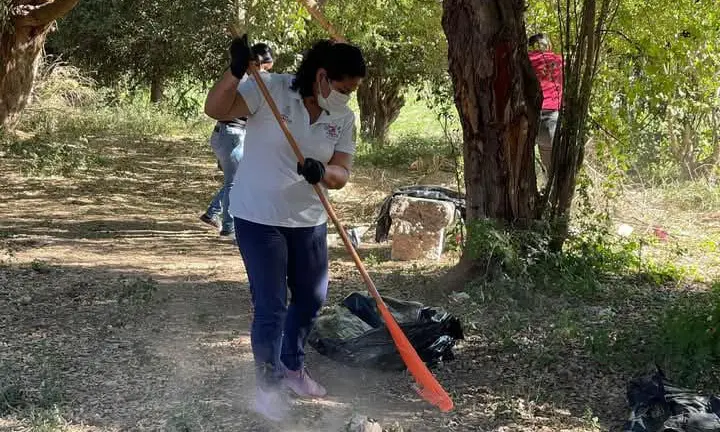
(418, 227)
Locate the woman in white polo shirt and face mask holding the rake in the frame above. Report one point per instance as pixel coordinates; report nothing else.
(280, 223)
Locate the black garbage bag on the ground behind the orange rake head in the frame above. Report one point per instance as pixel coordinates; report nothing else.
(353, 333)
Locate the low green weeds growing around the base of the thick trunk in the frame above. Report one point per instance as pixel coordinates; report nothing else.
(592, 256)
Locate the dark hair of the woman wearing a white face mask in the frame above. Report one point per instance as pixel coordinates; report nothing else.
(340, 60)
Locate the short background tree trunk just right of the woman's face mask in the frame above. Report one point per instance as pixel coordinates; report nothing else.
(380, 101)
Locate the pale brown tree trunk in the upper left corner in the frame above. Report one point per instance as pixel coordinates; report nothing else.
(22, 37)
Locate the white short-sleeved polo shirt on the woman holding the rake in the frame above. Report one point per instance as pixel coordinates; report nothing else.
(267, 188)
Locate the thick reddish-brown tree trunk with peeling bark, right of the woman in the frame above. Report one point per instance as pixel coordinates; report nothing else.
(498, 100)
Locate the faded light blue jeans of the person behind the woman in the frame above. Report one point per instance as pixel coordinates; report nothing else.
(227, 143)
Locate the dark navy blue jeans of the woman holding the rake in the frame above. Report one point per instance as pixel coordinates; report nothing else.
(278, 258)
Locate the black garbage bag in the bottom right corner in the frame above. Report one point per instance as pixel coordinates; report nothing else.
(658, 406)
